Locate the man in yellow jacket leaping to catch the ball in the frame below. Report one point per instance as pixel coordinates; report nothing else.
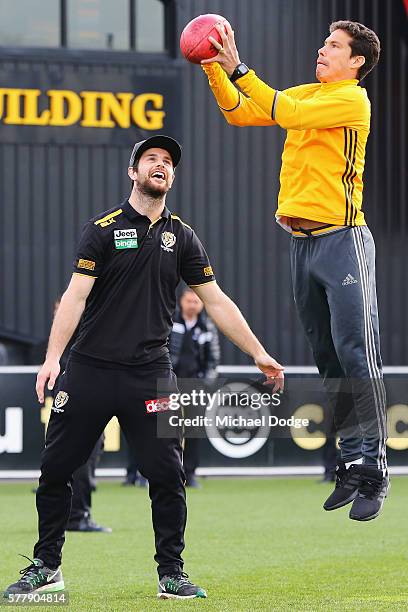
(332, 249)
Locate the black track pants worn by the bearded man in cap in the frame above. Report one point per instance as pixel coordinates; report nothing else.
(97, 394)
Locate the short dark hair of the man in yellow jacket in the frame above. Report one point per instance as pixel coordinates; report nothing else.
(364, 42)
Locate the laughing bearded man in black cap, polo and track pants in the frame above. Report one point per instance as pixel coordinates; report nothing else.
(129, 262)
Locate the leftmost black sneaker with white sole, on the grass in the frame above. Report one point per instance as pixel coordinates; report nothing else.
(36, 578)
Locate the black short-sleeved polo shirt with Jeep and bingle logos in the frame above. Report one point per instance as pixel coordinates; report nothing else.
(138, 265)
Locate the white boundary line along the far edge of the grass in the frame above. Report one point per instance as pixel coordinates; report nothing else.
(300, 470)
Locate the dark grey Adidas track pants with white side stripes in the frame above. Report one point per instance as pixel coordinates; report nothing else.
(333, 279)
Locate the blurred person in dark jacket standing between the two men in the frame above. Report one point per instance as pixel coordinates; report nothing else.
(195, 353)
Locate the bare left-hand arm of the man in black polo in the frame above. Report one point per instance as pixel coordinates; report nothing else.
(65, 323)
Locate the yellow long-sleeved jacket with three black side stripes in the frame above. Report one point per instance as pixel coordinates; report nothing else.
(327, 129)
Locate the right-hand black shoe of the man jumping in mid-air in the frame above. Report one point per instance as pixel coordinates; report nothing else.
(371, 494)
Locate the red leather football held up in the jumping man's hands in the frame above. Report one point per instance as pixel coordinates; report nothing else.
(194, 43)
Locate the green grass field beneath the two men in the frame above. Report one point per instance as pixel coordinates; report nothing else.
(253, 544)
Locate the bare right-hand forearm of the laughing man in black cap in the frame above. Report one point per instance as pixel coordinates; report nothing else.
(229, 320)
